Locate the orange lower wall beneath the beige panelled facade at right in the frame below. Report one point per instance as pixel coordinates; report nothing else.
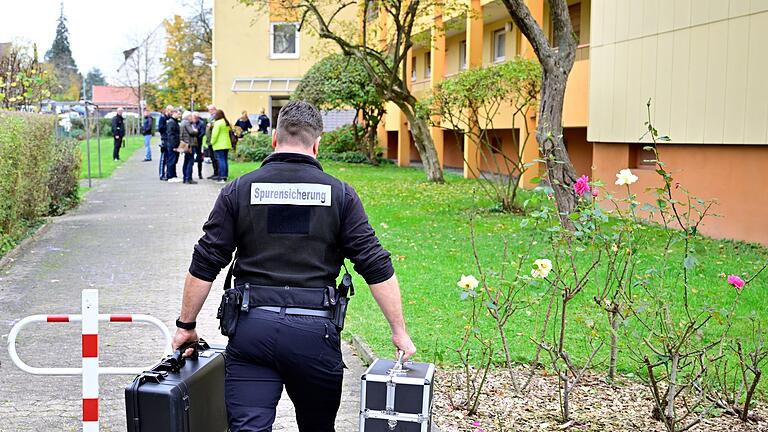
(737, 176)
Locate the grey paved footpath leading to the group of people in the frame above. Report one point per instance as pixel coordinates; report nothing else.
(131, 239)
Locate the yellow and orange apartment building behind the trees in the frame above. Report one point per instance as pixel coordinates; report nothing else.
(701, 62)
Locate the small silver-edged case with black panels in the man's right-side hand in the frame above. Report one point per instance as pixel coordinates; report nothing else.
(411, 398)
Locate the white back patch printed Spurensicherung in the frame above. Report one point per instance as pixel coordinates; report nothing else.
(310, 194)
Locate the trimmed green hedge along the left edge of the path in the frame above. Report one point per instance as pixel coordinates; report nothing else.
(38, 173)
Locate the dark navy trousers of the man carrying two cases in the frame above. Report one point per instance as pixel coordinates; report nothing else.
(270, 350)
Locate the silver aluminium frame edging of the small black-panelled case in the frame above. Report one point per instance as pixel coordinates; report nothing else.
(391, 382)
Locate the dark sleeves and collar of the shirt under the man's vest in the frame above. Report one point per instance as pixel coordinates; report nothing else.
(358, 241)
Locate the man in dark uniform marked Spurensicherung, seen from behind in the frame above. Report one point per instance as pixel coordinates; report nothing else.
(291, 226)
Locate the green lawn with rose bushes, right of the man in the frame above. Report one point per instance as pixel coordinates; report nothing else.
(426, 229)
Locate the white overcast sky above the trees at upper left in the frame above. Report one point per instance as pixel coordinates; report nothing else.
(99, 30)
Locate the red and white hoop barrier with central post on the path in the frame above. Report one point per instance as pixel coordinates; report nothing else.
(90, 369)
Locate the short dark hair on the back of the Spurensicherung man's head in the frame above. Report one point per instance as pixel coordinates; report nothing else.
(299, 122)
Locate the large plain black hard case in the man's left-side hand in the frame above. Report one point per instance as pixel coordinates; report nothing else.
(188, 400)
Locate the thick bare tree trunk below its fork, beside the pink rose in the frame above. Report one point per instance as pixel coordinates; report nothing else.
(549, 134)
